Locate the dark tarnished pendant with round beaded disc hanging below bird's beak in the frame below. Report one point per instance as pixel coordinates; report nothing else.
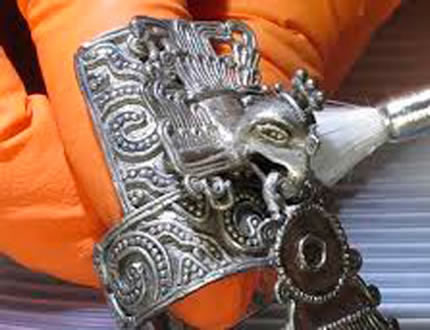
(318, 277)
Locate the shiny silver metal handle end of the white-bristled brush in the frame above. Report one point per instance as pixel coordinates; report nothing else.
(408, 116)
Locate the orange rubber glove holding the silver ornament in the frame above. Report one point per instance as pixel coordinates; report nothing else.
(56, 195)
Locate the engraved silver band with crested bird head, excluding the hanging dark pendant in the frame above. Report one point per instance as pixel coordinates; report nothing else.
(190, 136)
